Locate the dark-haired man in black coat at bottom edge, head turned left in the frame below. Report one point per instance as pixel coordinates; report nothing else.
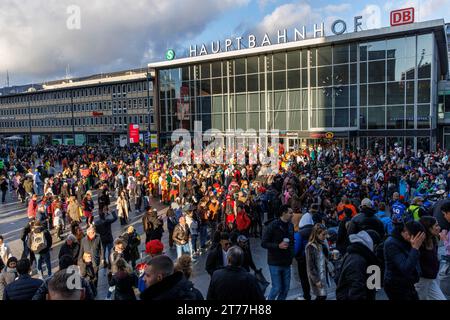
(163, 283)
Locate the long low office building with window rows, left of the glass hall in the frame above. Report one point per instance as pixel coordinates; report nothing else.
(93, 109)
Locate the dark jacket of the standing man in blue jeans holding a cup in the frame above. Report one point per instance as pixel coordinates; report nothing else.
(275, 232)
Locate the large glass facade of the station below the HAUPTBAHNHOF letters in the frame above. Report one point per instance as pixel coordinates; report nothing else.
(367, 86)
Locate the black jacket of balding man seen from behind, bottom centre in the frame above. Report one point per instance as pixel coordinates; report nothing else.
(234, 283)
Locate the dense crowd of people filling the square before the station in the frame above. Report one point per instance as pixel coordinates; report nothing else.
(341, 216)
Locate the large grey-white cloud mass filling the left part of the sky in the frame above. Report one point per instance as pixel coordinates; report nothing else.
(117, 34)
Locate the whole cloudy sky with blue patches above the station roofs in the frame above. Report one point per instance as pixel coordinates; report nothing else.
(40, 38)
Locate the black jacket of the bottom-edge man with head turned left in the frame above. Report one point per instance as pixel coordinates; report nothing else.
(173, 287)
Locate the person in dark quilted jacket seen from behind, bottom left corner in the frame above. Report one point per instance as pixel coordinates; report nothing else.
(24, 287)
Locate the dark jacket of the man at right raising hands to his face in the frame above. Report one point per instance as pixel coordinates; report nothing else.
(402, 263)
